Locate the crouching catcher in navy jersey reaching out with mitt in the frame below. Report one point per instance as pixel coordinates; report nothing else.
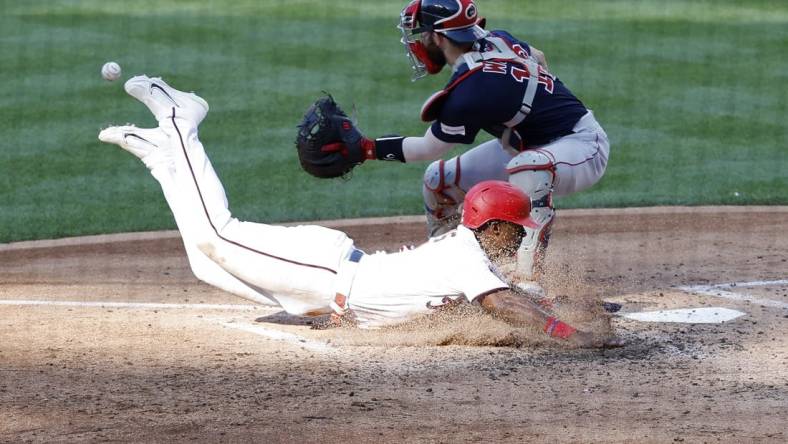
(546, 141)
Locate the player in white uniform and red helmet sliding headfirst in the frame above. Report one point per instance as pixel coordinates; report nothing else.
(311, 270)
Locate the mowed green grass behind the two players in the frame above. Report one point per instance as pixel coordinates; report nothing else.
(692, 94)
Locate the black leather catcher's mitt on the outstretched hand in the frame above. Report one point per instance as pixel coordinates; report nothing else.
(328, 143)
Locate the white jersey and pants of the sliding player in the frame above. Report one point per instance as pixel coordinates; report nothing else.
(303, 268)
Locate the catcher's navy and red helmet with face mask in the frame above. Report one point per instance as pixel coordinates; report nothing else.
(456, 19)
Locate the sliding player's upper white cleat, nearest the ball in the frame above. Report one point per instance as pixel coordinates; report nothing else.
(163, 100)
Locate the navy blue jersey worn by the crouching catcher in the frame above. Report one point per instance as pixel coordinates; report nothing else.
(488, 97)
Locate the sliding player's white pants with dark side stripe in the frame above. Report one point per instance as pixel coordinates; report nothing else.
(301, 268)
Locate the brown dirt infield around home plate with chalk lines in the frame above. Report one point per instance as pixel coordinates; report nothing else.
(110, 338)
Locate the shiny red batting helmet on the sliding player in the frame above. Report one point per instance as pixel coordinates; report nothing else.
(496, 200)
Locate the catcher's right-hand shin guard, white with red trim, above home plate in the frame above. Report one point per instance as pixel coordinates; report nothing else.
(533, 172)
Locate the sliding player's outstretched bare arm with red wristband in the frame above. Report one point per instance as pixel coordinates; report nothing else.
(520, 311)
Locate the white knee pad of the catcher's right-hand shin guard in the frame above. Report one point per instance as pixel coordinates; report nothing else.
(533, 172)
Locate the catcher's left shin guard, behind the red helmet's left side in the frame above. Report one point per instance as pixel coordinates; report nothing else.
(443, 196)
